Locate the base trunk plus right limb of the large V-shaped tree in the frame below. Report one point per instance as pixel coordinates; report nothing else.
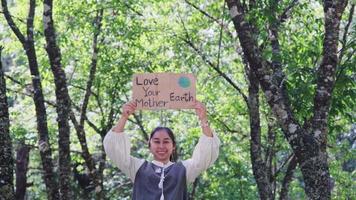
(313, 158)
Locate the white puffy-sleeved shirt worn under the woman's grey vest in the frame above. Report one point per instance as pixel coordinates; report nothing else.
(118, 147)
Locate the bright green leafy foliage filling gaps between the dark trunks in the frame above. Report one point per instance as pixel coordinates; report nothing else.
(149, 36)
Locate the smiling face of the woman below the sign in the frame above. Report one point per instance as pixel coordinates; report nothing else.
(161, 146)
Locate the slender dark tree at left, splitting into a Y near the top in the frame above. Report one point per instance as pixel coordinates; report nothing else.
(38, 98)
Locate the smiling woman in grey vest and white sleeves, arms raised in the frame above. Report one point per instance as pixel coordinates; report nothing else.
(162, 178)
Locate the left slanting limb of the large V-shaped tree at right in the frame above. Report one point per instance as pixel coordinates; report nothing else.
(264, 73)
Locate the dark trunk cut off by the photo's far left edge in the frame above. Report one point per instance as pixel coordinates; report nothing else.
(6, 159)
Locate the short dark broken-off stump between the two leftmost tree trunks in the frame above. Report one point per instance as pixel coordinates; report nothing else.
(22, 158)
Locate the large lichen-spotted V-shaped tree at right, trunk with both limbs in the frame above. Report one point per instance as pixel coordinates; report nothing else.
(308, 145)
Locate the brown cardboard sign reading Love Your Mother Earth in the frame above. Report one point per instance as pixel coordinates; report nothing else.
(163, 90)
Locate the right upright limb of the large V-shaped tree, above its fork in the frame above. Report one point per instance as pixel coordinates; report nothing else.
(326, 75)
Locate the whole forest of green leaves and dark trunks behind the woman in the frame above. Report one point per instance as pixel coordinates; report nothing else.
(277, 77)
